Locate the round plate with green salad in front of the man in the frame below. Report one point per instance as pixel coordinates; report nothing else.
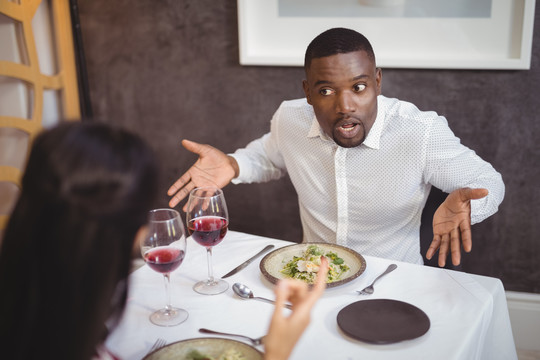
(301, 261)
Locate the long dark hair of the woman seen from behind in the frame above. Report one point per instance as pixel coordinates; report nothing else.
(66, 252)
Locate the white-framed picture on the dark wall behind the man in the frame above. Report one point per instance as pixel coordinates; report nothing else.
(439, 34)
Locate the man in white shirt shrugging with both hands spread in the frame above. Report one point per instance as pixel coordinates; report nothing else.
(362, 164)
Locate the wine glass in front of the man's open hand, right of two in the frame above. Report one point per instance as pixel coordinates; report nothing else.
(207, 221)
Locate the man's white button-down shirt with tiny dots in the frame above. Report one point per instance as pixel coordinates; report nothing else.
(370, 197)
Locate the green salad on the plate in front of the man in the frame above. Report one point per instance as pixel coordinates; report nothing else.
(305, 267)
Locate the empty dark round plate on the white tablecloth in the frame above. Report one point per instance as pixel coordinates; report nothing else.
(382, 321)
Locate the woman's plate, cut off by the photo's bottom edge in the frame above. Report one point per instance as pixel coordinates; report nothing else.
(213, 347)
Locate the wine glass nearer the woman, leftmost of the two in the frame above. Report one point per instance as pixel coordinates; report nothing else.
(164, 249)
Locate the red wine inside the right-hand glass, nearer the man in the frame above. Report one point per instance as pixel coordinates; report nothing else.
(208, 230)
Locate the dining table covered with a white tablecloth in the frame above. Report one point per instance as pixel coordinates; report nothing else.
(468, 314)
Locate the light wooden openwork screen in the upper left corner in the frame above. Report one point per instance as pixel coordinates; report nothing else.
(28, 71)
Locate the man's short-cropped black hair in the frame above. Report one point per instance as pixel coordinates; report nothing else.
(337, 41)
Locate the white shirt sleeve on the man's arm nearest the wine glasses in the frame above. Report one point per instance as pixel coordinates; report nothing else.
(261, 160)
